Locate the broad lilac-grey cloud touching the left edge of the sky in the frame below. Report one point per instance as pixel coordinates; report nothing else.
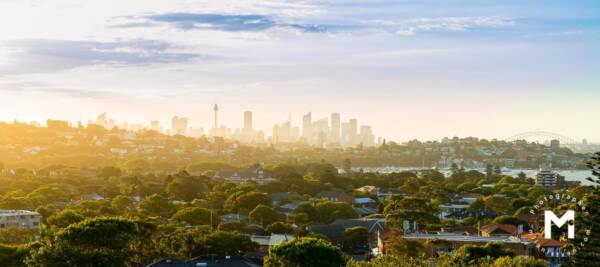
(42, 55)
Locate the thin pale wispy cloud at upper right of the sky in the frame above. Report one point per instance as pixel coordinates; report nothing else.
(413, 26)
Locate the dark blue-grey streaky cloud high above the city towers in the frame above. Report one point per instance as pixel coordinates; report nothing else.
(200, 21)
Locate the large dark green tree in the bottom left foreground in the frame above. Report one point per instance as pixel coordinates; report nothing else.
(93, 242)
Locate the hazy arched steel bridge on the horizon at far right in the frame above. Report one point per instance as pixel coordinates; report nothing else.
(543, 137)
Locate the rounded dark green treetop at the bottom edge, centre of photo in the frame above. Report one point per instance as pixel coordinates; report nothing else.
(305, 252)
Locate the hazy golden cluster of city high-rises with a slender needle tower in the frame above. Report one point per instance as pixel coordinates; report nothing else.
(329, 132)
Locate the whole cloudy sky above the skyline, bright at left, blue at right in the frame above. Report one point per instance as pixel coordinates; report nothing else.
(410, 69)
